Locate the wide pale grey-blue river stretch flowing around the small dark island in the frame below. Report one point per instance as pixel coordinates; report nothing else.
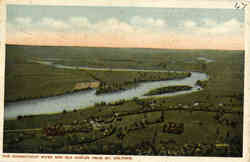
(88, 98)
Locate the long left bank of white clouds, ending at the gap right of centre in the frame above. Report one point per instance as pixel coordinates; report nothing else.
(83, 24)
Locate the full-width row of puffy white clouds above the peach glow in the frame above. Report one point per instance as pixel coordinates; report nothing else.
(136, 24)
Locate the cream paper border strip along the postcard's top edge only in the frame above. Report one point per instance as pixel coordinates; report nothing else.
(134, 3)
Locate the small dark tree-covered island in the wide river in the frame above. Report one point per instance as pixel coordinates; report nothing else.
(168, 89)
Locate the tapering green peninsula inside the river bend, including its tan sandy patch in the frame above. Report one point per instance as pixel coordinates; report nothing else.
(37, 80)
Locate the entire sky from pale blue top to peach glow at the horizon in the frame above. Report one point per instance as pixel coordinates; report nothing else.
(138, 27)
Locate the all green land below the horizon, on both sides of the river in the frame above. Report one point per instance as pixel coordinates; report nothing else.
(156, 126)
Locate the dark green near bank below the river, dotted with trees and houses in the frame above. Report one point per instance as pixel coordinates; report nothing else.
(198, 115)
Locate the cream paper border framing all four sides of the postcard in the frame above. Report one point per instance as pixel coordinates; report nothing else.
(136, 3)
